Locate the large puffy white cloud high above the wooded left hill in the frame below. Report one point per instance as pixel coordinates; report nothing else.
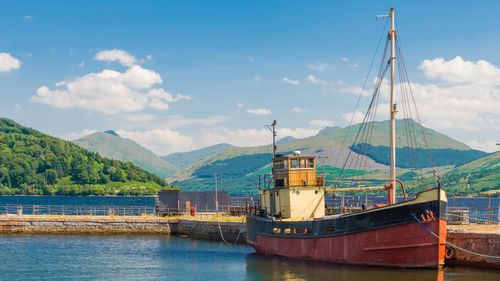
(110, 91)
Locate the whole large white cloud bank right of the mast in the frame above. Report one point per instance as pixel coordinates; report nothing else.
(469, 99)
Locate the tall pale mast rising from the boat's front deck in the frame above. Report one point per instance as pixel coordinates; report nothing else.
(392, 178)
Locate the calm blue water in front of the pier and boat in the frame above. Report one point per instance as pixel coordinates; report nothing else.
(92, 257)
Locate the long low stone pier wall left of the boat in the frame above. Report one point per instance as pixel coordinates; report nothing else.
(201, 228)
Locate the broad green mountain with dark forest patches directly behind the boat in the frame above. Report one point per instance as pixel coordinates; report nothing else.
(244, 164)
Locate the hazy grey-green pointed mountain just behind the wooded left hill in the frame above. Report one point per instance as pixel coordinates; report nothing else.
(111, 145)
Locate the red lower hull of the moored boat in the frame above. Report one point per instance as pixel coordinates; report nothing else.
(404, 245)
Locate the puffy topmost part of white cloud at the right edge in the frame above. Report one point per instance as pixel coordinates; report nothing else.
(459, 71)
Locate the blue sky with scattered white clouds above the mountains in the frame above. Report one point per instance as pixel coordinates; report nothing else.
(180, 75)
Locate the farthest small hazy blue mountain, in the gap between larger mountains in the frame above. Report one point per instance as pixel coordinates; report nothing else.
(185, 159)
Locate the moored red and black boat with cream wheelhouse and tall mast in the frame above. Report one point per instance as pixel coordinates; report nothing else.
(291, 220)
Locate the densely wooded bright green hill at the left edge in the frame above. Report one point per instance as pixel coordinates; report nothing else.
(36, 163)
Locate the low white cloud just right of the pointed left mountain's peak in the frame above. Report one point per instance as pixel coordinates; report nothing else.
(160, 141)
